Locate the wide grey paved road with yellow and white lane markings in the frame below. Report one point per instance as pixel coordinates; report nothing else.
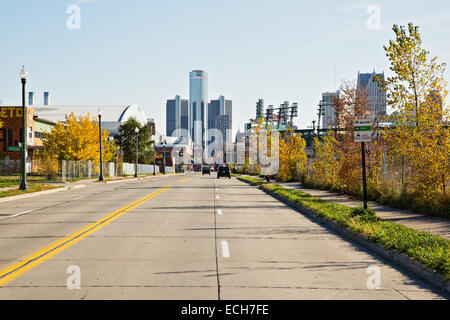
(182, 237)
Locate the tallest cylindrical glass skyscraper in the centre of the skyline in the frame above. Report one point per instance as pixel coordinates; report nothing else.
(198, 105)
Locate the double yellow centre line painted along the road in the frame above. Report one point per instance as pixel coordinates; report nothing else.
(17, 269)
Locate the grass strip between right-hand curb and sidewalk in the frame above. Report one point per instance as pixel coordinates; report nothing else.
(426, 248)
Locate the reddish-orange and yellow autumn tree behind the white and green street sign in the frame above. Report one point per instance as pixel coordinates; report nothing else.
(337, 158)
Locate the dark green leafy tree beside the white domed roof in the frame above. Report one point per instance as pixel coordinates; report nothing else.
(127, 142)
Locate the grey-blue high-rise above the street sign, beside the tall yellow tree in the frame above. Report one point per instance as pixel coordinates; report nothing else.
(376, 97)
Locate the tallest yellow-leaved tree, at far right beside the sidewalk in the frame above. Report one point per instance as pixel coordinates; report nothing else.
(417, 140)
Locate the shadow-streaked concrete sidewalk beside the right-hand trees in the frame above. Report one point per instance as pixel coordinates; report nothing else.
(418, 221)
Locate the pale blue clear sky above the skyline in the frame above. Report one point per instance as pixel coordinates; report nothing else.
(141, 51)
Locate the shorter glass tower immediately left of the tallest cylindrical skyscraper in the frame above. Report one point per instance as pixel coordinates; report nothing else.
(177, 115)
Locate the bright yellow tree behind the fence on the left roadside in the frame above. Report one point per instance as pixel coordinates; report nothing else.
(78, 139)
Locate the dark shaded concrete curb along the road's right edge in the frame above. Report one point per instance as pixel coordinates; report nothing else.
(439, 282)
